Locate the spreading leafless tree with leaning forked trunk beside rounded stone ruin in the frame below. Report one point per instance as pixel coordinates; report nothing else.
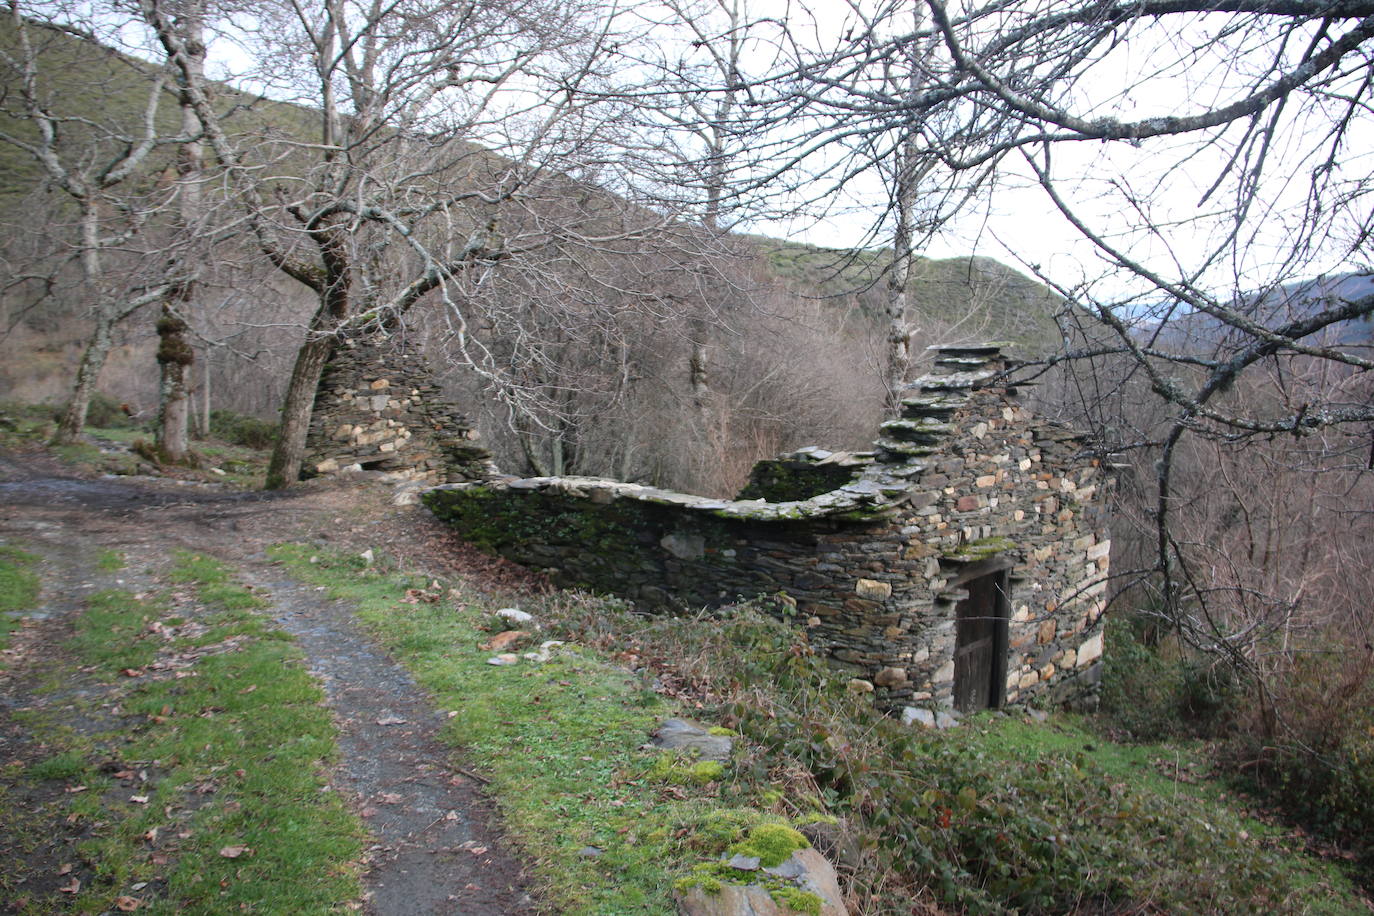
(461, 153)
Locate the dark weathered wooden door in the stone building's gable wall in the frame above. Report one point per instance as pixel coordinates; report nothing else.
(980, 653)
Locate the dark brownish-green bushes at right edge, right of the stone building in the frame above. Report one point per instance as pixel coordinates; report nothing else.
(1307, 753)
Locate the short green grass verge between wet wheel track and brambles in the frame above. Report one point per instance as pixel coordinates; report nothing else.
(605, 825)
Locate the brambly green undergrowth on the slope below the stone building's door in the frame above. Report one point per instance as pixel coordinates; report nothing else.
(1001, 815)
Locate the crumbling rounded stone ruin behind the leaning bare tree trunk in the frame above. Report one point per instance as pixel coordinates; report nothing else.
(377, 409)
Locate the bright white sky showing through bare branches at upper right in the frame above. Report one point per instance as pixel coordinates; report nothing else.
(1111, 186)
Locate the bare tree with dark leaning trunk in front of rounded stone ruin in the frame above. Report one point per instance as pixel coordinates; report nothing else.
(396, 201)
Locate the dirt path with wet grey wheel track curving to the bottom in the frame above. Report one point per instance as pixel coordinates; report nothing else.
(435, 849)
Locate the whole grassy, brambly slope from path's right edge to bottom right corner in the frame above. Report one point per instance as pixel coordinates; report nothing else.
(1000, 815)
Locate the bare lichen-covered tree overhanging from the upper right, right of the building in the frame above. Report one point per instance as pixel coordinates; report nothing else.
(1206, 154)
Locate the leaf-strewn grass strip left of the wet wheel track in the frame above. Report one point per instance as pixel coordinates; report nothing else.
(208, 793)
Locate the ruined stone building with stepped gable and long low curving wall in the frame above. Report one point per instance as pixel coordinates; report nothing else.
(967, 484)
